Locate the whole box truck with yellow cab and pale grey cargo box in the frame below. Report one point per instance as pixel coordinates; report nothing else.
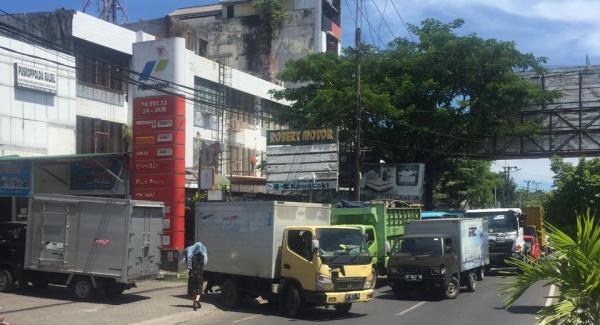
(285, 252)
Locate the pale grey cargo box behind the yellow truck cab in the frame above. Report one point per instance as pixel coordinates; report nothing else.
(243, 238)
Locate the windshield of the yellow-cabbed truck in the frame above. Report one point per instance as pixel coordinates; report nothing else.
(345, 246)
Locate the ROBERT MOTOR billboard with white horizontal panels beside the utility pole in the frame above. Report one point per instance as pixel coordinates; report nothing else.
(302, 160)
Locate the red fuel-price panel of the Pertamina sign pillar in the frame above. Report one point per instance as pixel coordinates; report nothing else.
(158, 166)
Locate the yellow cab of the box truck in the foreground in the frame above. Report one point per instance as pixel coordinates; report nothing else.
(325, 266)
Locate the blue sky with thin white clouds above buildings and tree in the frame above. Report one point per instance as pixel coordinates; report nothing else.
(563, 31)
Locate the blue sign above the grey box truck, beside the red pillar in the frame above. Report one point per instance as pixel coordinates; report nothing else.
(93, 174)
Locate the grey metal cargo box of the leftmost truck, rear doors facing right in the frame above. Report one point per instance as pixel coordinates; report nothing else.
(104, 237)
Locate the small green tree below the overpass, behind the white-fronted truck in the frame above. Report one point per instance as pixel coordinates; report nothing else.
(467, 183)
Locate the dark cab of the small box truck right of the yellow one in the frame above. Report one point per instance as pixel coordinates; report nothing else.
(425, 260)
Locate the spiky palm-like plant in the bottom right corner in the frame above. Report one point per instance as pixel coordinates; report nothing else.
(575, 271)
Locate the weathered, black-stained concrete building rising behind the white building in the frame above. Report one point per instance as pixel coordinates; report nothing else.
(232, 32)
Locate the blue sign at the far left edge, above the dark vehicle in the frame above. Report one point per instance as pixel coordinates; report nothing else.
(15, 179)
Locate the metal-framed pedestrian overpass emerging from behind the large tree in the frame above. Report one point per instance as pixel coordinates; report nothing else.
(569, 127)
